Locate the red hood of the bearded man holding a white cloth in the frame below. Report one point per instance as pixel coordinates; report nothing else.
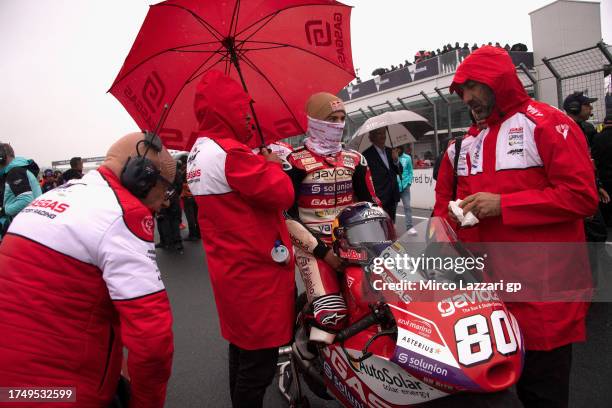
(493, 66)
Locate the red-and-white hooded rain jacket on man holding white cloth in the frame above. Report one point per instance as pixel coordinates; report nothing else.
(536, 157)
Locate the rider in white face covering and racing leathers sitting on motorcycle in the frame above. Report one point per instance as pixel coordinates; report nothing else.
(326, 178)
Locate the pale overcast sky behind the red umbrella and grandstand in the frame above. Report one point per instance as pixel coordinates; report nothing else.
(59, 57)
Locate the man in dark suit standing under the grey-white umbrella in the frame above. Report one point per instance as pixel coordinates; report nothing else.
(385, 166)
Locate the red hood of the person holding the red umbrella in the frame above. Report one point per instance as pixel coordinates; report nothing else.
(221, 107)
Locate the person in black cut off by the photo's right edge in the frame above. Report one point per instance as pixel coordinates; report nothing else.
(602, 155)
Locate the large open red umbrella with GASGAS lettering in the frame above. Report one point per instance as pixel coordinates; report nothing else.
(282, 51)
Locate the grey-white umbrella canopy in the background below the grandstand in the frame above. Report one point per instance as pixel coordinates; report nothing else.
(403, 127)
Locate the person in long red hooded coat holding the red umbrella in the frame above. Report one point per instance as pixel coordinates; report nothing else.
(241, 197)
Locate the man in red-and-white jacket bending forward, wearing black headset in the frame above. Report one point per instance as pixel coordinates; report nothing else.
(79, 281)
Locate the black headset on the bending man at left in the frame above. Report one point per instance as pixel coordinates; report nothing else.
(139, 175)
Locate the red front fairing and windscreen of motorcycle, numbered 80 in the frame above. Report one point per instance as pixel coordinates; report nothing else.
(453, 333)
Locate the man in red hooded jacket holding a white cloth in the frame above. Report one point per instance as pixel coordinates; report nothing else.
(531, 180)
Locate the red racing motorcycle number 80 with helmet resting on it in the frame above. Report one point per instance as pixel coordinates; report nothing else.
(404, 343)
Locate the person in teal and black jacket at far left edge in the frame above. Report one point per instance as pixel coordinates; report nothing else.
(20, 184)
